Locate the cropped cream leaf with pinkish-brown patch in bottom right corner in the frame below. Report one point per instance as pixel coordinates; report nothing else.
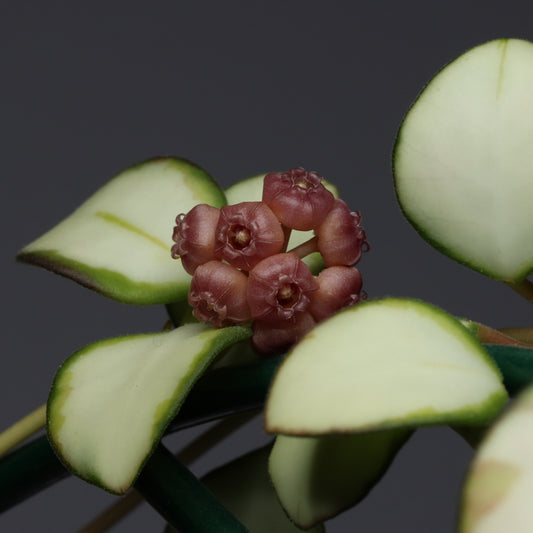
(497, 492)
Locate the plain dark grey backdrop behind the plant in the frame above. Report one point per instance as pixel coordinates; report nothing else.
(240, 87)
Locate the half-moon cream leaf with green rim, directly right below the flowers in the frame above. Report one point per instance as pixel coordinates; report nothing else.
(384, 363)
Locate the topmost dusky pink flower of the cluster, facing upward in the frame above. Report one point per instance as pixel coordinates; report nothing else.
(297, 197)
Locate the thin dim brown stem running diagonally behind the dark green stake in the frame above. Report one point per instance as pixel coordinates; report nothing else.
(190, 453)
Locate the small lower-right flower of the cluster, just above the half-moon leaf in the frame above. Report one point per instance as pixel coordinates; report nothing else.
(339, 287)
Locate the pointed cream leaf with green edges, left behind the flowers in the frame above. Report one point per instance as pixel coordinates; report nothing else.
(118, 242)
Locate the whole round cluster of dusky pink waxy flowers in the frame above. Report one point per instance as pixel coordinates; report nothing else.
(242, 271)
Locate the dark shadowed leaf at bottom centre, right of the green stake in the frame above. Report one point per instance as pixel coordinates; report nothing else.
(244, 487)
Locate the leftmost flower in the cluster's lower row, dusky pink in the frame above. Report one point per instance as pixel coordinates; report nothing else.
(218, 294)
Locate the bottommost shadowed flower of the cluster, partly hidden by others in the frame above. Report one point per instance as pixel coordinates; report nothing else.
(274, 337)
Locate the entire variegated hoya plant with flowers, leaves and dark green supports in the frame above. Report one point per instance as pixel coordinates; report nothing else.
(266, 310)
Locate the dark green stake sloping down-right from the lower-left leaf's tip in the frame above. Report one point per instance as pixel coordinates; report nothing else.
(181, 499)
